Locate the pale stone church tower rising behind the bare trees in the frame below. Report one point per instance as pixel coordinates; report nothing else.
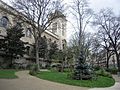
(58, 27)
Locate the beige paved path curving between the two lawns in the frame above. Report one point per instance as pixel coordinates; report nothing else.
(27, 82)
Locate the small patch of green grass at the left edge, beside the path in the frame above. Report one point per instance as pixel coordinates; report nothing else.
(7, 74)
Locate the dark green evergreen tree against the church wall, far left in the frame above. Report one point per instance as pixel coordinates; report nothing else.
(14, 46)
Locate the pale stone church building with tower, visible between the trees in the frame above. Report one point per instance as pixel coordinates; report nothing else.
(56, 32)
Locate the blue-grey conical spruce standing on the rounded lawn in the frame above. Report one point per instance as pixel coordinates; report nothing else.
(81, 69)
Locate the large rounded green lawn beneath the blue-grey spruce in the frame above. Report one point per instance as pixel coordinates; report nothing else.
(62, 78)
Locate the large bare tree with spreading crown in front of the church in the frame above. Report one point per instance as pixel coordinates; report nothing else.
(39, 14)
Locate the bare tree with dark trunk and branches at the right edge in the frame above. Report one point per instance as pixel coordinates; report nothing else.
(109, 26)
